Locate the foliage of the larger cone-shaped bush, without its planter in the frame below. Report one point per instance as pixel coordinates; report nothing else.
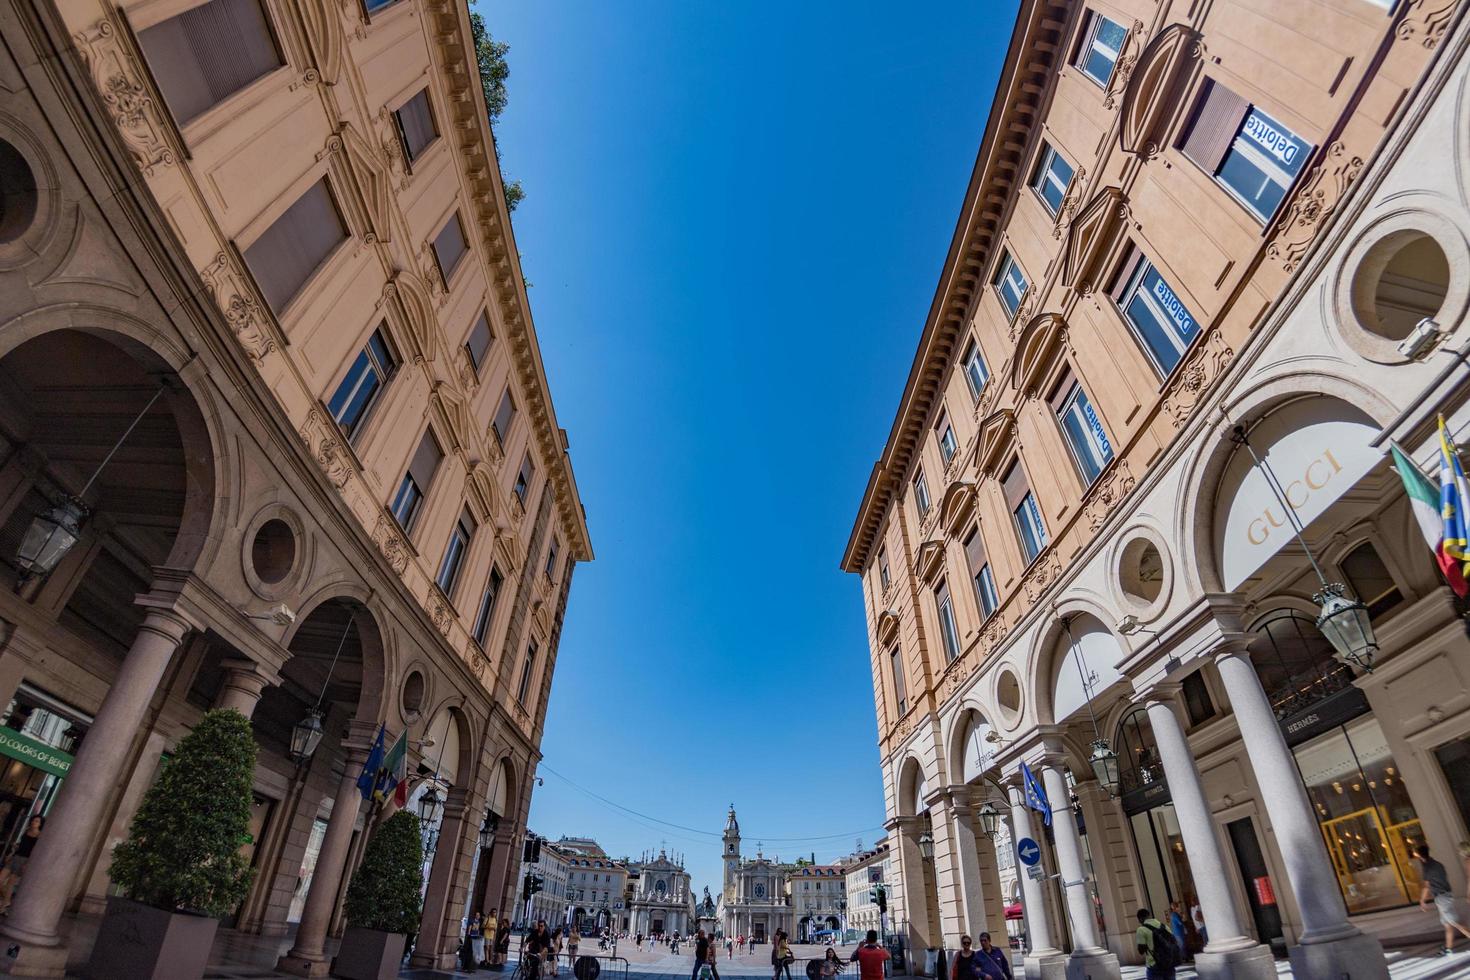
(183, 851)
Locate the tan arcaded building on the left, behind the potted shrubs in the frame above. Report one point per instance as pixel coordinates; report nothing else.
(264, 331)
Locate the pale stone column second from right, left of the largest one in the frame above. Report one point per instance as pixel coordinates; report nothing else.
(1231, 951)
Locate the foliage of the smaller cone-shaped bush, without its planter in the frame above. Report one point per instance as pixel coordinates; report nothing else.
(386, 893)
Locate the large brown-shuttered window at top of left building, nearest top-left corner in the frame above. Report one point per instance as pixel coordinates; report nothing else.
(208, 54)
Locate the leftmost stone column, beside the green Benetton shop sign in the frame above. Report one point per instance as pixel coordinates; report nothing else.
(85, 794)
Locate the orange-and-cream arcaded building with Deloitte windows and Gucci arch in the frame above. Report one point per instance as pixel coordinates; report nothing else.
(1194, 233)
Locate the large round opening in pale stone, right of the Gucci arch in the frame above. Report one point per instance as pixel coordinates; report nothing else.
(1402, 280)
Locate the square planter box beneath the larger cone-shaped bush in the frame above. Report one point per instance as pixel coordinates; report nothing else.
(140, 943)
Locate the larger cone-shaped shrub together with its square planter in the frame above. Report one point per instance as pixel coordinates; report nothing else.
(182, 869)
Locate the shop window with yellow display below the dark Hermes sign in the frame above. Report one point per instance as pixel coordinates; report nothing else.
(1366, 815)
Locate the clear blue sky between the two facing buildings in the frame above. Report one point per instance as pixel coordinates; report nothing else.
(734, 224)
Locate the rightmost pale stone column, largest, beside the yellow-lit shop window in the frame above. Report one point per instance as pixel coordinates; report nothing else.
(1330, 945)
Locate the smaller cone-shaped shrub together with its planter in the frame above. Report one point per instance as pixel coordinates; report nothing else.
(383, 903)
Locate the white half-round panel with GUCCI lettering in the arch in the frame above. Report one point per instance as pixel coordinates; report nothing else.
(1315, 459)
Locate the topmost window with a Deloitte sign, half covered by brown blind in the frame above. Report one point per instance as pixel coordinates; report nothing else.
(1246, 151)
